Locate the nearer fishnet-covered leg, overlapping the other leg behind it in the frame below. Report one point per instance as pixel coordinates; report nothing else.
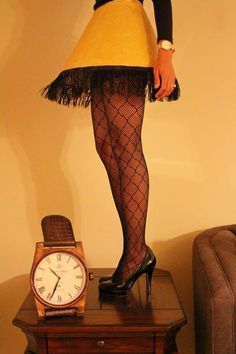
(124, 115)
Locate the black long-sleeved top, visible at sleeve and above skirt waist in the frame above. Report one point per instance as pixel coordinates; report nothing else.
(163, 17)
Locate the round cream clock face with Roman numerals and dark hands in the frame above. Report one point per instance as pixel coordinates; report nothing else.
(59, 278)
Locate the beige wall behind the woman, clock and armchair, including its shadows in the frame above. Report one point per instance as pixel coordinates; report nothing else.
(48, 158)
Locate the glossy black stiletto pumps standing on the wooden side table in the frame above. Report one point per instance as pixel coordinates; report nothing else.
(122, 288)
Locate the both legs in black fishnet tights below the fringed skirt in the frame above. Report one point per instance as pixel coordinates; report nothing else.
(117, 124)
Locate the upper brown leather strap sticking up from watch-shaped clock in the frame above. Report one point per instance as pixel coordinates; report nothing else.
(57, 231)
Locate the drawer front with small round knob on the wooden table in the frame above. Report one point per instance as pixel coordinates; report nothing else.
(123, 343)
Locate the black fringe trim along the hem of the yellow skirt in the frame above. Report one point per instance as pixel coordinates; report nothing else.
(74, 86)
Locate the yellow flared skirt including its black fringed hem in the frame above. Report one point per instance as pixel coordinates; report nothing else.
(116, 52)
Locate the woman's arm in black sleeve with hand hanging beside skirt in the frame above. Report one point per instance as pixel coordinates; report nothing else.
(163, 67)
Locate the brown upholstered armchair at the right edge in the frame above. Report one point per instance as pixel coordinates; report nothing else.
(214, 286)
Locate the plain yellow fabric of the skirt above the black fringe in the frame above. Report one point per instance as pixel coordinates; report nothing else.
(119, 33)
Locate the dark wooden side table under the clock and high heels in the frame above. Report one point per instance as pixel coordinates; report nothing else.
(110, 324)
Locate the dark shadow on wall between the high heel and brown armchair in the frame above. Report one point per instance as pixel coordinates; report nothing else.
(175, 255)
